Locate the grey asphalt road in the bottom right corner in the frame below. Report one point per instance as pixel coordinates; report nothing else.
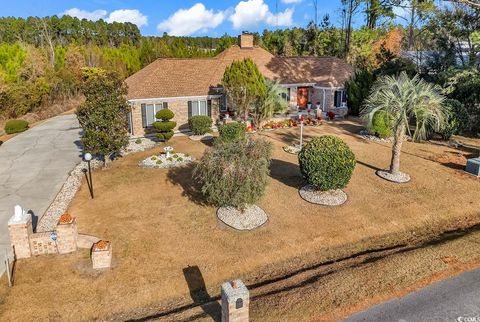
(455, 299)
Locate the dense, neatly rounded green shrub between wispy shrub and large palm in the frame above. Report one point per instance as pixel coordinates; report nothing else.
(327, 163)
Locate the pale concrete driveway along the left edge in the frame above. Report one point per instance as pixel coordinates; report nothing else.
(33, 167)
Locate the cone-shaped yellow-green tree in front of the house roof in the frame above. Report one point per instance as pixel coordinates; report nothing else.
(244, 85)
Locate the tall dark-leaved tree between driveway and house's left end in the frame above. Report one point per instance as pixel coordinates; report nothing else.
(103, 116)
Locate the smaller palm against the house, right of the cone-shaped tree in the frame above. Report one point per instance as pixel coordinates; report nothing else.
(271, 103)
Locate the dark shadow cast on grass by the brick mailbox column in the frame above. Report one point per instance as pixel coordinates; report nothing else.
(198, 292)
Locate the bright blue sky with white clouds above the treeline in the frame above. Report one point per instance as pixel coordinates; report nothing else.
(195, 18)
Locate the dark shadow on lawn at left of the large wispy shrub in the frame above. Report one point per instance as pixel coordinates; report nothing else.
(183, 176)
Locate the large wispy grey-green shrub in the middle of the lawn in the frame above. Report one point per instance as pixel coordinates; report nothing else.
(234, 173)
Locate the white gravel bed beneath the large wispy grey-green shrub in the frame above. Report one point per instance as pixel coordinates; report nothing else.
(253, 217)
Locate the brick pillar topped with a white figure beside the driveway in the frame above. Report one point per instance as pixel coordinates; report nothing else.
(20, 230)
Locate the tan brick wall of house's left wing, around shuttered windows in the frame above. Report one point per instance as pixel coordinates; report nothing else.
(178, 107)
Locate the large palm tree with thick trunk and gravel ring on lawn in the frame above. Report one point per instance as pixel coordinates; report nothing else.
(405, 98)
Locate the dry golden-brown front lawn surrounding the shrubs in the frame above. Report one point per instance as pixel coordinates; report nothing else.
(159, 226)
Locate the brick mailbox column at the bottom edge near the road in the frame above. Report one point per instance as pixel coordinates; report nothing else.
(235, 302)
